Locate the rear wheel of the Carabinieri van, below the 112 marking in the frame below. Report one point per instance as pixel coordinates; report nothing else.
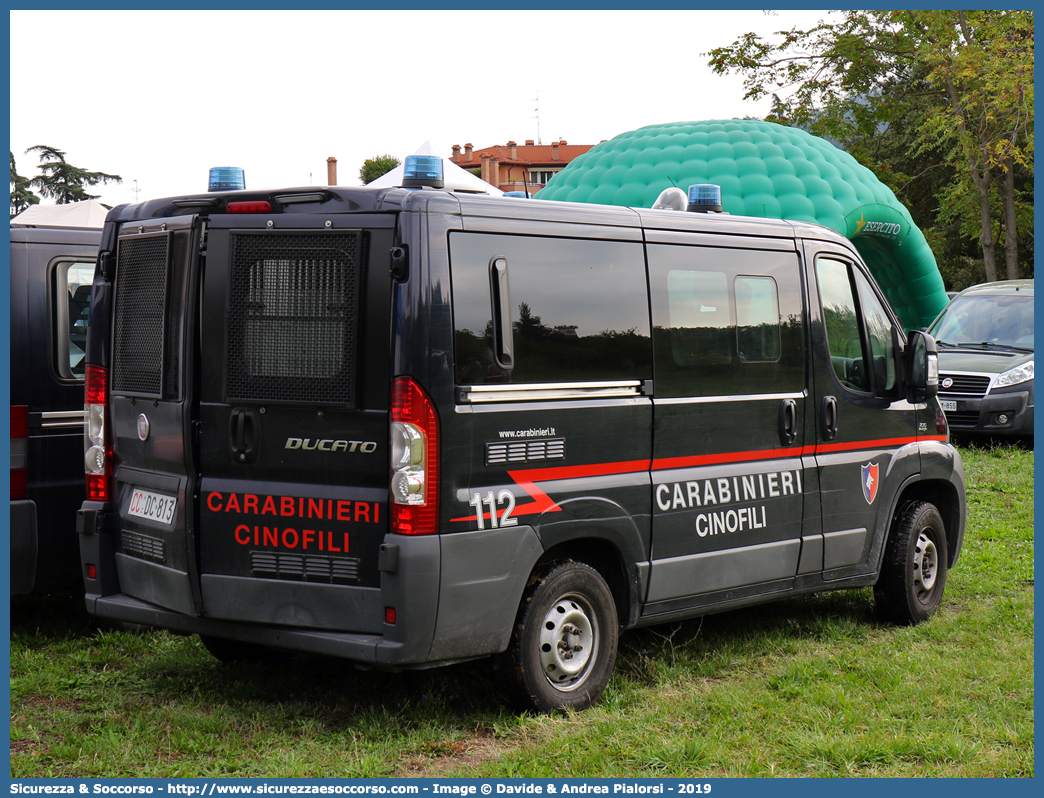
(564, 644)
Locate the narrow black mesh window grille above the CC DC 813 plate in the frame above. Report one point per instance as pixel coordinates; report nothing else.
(141, 289)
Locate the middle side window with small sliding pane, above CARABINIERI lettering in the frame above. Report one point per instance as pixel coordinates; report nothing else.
(726, 322)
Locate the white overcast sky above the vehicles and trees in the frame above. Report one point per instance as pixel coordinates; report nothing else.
(171, 95)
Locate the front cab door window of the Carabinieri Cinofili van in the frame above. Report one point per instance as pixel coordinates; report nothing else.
(845, 318)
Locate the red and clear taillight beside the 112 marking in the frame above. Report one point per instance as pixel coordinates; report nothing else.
(415, 460)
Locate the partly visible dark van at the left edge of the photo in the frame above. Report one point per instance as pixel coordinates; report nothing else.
(52, 271)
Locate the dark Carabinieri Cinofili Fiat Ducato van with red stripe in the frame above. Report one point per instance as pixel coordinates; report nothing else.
(412, 427)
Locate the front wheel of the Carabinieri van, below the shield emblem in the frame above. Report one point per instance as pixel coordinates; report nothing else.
(913, 578)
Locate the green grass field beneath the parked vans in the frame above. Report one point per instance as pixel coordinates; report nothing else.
(811, 687)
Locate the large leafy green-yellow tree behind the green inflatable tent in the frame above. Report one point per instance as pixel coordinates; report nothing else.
(962, 81)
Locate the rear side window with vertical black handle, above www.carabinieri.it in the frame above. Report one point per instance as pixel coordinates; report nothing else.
(579, 310)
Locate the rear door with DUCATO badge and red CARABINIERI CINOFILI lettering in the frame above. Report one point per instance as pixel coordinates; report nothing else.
(293, 427)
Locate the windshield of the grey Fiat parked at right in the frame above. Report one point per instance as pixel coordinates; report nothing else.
(1003, 321)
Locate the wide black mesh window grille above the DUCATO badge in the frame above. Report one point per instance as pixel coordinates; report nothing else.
(294, 318)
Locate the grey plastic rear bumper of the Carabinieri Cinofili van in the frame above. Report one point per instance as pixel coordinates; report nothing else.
(455, 598)
